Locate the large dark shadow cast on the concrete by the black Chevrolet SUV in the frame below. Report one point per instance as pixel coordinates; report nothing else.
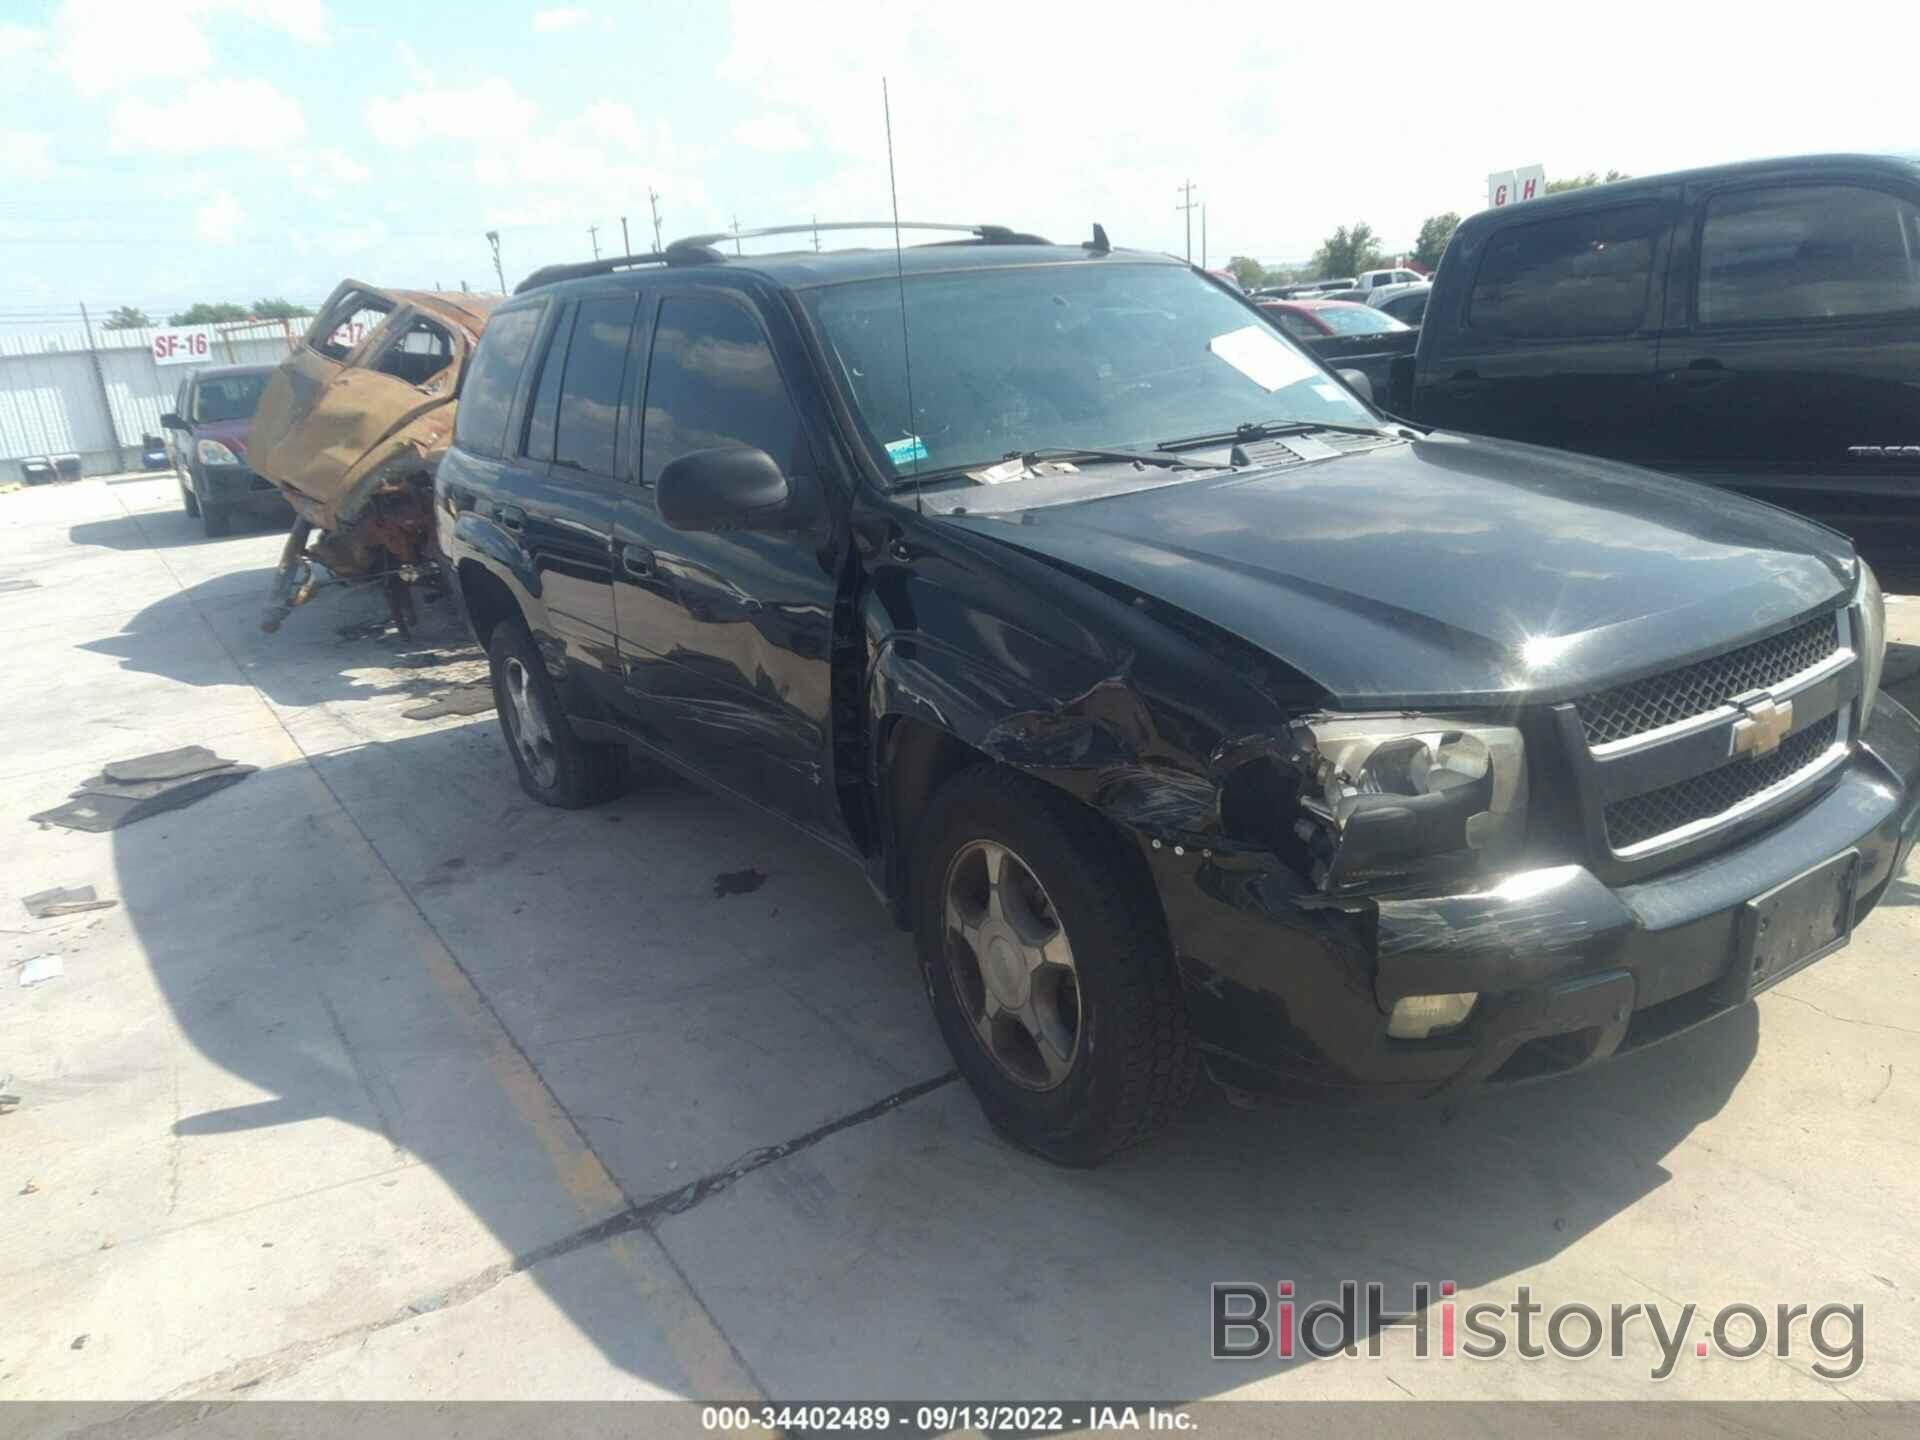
(675, 1019)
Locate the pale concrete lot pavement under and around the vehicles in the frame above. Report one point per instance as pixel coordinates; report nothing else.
(383, 1082)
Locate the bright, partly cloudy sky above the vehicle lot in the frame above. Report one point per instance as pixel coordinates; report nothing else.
(156, 153)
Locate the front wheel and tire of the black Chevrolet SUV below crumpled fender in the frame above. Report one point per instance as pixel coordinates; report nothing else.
(1132, 1065)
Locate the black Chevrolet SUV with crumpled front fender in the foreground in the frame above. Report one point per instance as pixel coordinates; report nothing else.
(1188, 709)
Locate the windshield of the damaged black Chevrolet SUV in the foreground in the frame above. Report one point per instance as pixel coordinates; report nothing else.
(1063, 356)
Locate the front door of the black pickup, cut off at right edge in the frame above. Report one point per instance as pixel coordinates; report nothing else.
(1790, 368)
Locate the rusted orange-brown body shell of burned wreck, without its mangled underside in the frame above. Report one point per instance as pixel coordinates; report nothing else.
(331, 433)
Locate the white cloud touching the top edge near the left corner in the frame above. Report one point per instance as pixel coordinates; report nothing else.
(126, 45)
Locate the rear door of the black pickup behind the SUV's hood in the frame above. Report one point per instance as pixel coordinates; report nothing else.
(1556, 335)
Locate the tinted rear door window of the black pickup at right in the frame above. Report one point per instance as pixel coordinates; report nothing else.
(1583, 276)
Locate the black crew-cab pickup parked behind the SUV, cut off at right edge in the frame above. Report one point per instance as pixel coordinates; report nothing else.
(1756, 327)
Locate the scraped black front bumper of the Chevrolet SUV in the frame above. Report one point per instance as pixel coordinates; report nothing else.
(1289, 992)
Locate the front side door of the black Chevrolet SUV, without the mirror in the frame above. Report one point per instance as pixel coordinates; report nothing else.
(729, 638)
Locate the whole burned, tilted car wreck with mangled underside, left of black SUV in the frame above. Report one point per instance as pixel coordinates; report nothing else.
(350, 431)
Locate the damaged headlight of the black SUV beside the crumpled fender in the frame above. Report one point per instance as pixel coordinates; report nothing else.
(1397, 794)
